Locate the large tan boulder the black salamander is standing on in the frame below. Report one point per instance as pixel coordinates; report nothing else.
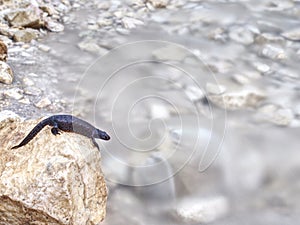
(51, 180)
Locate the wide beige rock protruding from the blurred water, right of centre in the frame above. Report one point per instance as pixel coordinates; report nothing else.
(238, 100)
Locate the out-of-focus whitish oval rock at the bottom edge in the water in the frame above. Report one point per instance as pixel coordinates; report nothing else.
(204, 210)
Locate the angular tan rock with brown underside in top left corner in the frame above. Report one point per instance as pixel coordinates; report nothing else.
(24, 18)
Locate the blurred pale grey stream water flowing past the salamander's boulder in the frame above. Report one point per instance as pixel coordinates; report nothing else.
(170, 146)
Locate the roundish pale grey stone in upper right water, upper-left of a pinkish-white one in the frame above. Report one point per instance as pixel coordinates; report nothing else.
(241, 35)
